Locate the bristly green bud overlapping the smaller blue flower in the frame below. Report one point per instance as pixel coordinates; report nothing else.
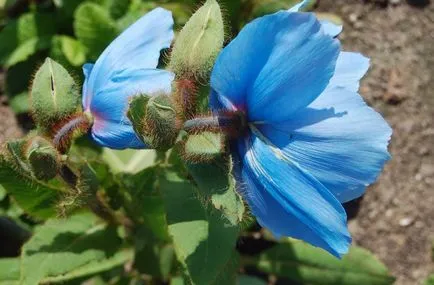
(154, 120)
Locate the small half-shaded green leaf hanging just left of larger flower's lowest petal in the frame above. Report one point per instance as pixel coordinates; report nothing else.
(220, 188)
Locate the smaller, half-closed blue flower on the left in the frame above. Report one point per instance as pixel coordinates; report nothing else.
(127, 68)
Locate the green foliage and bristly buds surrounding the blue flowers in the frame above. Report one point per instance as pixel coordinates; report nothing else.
(167, 216)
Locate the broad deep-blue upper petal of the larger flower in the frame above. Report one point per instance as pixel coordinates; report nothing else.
(282, 72)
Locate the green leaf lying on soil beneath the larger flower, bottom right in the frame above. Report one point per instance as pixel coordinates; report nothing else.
(306, 264)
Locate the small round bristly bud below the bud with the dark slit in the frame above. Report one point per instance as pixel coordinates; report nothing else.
(43, 158)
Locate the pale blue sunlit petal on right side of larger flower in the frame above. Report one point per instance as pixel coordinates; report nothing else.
(338, 139)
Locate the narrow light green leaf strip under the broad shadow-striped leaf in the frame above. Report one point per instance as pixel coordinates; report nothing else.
(95, 267)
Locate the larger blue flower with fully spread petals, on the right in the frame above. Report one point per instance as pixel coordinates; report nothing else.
(311, 142)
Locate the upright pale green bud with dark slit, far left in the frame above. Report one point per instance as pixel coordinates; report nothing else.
(55, 96)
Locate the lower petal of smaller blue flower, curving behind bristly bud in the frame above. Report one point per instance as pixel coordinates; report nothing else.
(109, 106)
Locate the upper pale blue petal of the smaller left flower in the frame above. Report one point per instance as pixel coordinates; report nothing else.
(138, 47)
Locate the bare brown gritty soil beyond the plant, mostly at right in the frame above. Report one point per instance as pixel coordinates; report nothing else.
(396, 217)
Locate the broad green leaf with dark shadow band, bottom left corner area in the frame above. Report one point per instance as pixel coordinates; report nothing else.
(60, 247)
